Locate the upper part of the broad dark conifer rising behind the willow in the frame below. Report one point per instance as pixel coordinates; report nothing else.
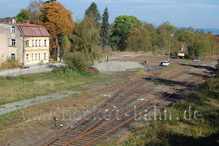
(92, 11)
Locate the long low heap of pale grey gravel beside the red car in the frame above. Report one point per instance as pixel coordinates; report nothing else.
(117, 65)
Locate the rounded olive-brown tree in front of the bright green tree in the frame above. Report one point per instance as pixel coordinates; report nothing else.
(138, 40)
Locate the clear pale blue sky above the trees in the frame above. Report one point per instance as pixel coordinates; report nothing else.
(180, 13)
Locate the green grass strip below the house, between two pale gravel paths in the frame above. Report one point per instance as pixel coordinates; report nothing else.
(33, 85)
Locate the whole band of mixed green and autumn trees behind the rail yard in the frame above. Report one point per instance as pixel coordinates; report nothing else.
(82, 41)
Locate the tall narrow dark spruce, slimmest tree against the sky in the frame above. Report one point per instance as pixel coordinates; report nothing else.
(105, 29)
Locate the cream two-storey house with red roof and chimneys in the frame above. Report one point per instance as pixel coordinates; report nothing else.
(26, 42)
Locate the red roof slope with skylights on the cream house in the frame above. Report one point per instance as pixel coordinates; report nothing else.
(32, 30)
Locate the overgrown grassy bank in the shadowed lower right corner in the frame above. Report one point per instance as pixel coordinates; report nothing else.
(202, 129)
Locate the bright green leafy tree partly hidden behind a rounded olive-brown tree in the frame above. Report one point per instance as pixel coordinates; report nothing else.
(121, 27)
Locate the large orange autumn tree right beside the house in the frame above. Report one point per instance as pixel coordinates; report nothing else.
(57, 20)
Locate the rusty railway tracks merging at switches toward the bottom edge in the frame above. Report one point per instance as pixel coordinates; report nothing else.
(105, 120)
